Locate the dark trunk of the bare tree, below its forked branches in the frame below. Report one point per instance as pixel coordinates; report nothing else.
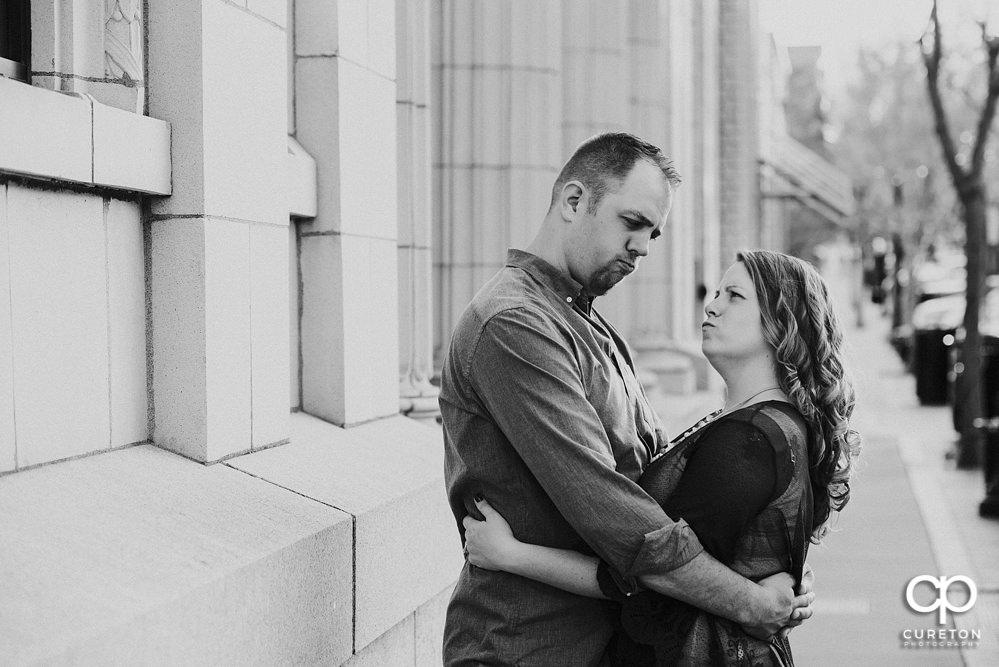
(970, 443)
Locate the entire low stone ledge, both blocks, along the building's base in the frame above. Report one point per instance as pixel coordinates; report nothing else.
(140, 556)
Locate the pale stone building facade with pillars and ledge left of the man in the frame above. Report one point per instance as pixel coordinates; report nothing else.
(172, 270)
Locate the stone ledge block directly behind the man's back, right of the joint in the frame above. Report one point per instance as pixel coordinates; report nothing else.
(388, 474)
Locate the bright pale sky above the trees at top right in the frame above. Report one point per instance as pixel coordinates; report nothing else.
(841, 27)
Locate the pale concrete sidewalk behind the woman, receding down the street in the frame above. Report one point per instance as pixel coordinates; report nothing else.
(911, 513)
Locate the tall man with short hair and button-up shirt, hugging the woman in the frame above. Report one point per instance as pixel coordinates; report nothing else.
(544, 417)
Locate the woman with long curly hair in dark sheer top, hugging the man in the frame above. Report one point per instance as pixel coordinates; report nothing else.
(757, 480)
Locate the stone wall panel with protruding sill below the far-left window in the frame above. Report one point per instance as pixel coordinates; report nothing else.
(72, 294)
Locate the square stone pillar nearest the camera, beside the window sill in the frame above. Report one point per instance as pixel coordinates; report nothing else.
(217, 249)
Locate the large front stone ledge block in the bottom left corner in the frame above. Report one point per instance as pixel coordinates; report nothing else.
(140, 556)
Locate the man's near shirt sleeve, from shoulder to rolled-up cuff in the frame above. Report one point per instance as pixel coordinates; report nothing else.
(528, 375)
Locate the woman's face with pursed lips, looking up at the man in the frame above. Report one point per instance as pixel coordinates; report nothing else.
(733, 328)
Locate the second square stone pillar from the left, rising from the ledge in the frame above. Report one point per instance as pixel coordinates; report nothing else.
(345, 93)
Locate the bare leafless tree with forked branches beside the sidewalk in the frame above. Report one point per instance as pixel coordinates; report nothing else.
(969, 181)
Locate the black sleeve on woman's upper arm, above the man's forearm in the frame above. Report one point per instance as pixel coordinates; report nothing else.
(729, 479)
